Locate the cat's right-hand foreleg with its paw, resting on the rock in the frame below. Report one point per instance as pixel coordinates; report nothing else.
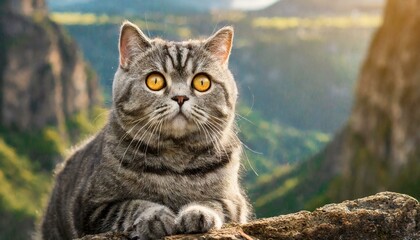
(202, 216)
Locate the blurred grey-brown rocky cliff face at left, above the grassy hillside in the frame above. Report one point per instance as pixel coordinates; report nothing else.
(43, 76)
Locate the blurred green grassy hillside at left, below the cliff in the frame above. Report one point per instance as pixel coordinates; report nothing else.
(27, 160)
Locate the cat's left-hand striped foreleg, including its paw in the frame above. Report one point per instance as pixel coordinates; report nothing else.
(138, 218)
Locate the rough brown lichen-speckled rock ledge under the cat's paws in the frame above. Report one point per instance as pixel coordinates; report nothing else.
(386, 215)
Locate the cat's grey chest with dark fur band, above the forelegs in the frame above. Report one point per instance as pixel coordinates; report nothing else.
(176, 179)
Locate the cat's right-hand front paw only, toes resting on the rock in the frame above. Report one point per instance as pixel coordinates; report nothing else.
(197, 219)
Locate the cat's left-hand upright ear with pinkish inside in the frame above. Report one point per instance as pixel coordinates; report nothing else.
(132, 42)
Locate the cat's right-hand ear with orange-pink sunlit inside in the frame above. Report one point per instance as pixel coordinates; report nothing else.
(220, 44)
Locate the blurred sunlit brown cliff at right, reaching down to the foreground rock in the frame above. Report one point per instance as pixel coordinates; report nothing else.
(379, 146)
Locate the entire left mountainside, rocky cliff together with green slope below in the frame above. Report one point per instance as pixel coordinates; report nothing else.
(48, 95)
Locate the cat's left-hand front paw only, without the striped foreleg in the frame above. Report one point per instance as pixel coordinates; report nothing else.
(154, 223)
